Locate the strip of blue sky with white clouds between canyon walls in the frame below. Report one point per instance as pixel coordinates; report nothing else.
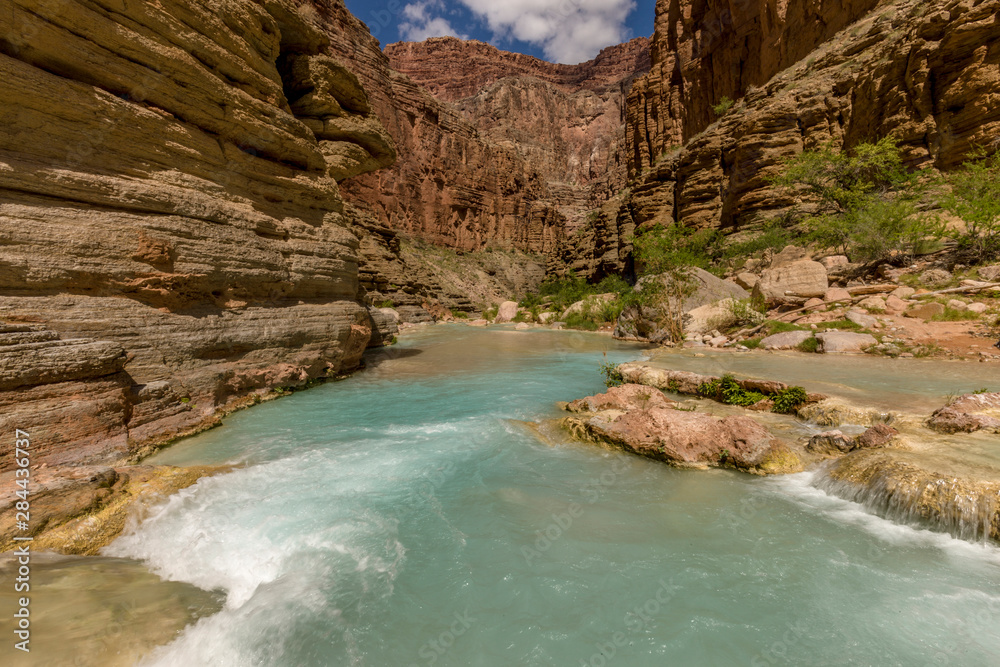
(566, 31)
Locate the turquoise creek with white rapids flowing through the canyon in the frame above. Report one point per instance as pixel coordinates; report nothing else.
(408, 516)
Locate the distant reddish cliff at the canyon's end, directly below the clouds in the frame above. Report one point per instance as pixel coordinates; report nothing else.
(566, 121)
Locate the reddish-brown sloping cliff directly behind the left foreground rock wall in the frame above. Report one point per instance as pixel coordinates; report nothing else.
(450, 186)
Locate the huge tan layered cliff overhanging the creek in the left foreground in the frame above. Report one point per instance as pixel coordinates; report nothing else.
(168, 190)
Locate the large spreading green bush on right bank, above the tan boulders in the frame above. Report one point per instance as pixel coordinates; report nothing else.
(867, 200)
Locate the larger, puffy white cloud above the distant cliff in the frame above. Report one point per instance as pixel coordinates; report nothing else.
(568, 31)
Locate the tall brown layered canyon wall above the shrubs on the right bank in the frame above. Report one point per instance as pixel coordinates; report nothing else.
(804, 74)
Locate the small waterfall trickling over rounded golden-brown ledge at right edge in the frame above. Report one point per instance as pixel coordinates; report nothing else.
(905, 494)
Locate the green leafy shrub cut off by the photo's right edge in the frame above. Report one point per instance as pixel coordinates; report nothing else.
(975, 198)
